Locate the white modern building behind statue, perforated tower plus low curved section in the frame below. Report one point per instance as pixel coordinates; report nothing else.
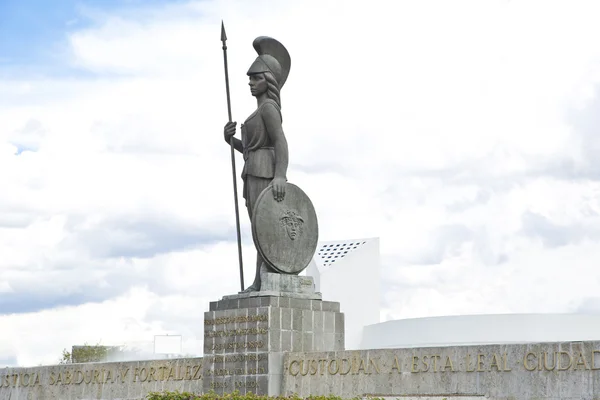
(348, 271)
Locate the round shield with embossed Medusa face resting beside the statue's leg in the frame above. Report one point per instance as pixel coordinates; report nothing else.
(285, 232)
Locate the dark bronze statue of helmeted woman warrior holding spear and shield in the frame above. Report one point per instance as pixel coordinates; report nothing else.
(265, 151)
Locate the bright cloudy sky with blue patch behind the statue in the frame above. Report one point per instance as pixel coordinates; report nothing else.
(463, 134)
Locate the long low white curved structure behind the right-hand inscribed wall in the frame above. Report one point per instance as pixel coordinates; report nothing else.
(481, 329)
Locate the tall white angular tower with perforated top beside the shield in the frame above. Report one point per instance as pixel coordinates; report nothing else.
(348, 271)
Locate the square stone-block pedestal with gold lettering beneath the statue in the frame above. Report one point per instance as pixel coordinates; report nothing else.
(246, 335)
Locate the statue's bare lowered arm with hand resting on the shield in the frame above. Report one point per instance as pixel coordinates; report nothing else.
(272, 119)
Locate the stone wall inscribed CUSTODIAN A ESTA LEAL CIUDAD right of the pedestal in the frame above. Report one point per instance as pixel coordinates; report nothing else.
(531, 371)
